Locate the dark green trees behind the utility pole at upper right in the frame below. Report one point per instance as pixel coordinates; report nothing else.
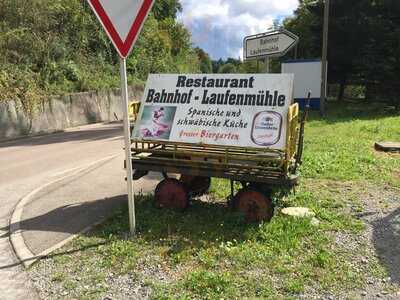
(364, 43)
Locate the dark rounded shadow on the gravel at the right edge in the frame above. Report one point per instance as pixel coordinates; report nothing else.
(386, 239)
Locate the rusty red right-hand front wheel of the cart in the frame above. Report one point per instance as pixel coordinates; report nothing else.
(254, 204)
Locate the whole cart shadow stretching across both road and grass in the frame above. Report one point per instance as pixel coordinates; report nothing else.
(203, 224)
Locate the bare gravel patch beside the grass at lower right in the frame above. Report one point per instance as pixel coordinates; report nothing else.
(379, 244)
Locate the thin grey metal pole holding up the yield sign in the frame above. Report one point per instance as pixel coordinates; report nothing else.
(129, 171)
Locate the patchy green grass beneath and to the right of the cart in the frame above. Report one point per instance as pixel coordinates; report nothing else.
(209, 252)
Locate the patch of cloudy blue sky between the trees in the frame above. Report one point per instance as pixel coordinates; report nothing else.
(219, 26)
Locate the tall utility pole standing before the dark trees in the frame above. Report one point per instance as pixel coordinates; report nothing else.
(324, 79)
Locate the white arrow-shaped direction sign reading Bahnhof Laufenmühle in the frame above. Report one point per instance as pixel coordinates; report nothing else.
(269, 44)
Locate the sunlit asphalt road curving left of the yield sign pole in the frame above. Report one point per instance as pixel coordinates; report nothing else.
(29, 163)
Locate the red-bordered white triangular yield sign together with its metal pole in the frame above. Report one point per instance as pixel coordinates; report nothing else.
(123, 20)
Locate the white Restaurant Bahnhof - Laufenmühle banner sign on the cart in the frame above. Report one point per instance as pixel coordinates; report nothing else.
(218, 109)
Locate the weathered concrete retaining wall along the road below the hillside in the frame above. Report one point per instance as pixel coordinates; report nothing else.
(64, 112)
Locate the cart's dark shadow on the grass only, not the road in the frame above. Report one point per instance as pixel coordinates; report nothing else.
(202, 225)
